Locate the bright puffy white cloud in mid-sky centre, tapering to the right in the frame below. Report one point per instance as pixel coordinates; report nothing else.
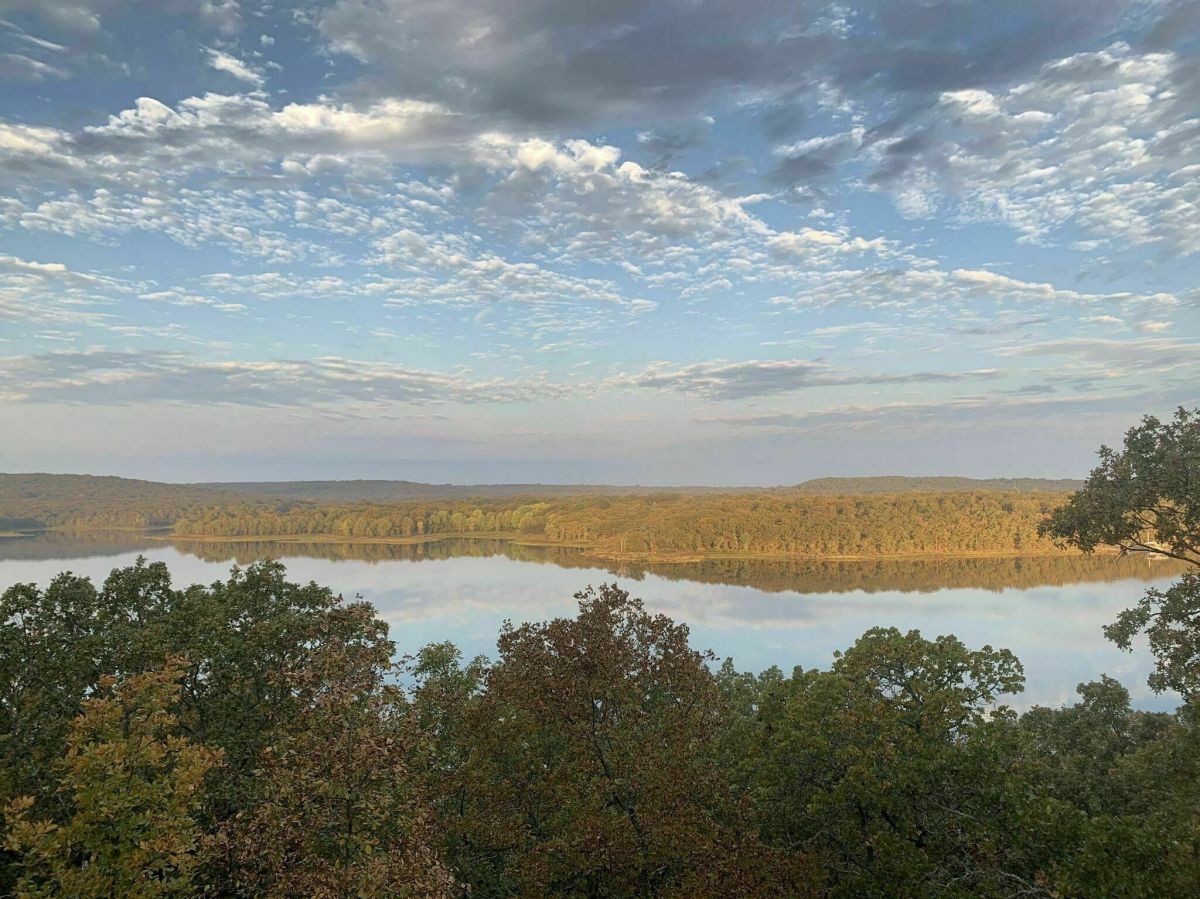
(584, 203)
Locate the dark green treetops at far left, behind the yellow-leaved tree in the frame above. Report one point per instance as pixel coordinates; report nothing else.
(58, 644)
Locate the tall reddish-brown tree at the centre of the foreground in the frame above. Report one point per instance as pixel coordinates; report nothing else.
(590, 766)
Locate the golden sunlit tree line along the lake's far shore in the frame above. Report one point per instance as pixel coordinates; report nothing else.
(759, 524)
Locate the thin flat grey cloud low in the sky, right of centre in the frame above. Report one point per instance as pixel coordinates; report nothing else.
(754, 379)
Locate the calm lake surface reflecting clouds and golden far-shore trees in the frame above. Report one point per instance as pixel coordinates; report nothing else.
(763, 614)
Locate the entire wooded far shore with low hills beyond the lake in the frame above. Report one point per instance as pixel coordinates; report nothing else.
(933, 518)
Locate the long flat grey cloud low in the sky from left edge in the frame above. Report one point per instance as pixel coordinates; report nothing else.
(118, 379)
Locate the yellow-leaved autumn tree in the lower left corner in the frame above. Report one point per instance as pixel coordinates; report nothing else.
(131, 786)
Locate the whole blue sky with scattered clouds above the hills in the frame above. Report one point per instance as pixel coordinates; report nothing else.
(691, 242)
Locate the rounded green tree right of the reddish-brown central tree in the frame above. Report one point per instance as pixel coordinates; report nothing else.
(889, 768)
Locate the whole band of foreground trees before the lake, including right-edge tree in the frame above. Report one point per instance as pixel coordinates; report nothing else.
(259, 738)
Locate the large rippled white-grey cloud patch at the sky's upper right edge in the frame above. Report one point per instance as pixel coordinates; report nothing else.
(1105, 142)
